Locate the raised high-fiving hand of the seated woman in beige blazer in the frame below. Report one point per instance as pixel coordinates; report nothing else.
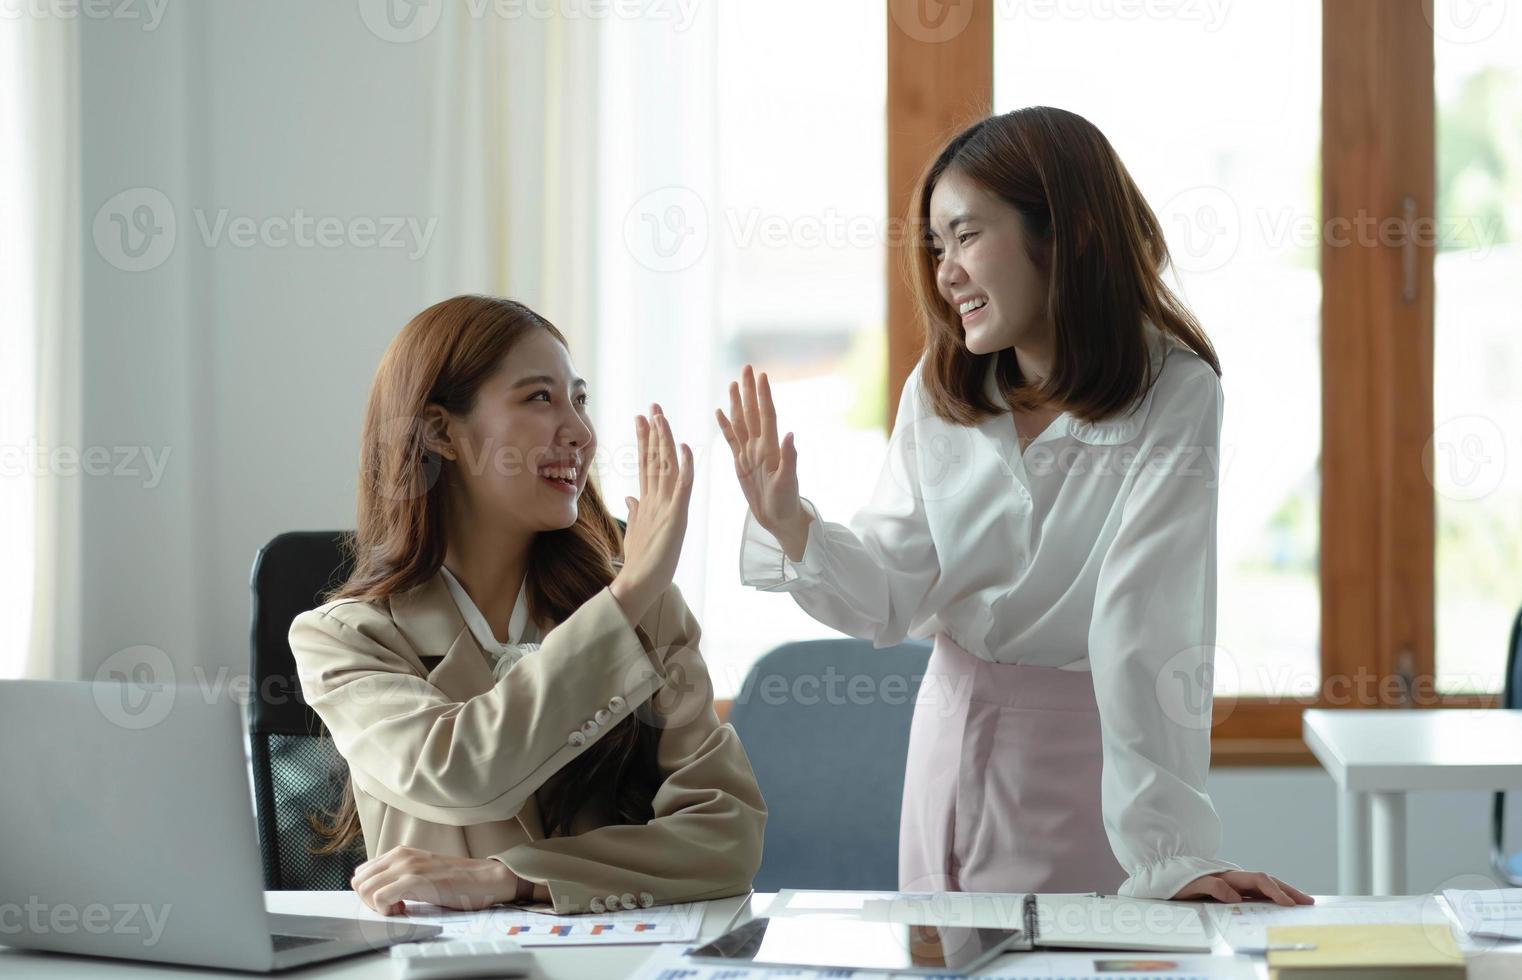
(658, 520)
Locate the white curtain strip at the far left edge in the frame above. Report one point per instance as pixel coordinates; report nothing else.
(40, 392)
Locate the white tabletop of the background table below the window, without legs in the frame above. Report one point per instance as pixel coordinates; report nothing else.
(1441, 749)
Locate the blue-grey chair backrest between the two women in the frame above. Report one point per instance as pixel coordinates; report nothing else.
(826, 725)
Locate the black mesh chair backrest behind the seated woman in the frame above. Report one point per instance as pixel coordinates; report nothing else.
(298, 771)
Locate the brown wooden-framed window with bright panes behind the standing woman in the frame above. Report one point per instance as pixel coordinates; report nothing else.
(1298, 170)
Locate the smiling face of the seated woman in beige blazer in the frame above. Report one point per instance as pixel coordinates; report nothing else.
(524, 451)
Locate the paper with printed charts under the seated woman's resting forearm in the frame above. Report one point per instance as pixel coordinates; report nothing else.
(537, 929)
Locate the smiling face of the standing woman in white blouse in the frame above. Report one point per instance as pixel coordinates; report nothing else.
(984, 269)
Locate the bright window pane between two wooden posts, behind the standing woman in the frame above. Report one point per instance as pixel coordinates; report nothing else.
(1232, 170)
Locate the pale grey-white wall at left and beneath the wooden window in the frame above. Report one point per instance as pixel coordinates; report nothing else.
(250, 366)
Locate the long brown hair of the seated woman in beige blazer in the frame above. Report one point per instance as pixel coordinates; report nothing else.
(442, 358)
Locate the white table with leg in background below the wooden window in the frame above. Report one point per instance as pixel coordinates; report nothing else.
(1377, 757)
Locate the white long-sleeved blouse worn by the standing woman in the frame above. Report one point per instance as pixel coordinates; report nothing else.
(1094, 550)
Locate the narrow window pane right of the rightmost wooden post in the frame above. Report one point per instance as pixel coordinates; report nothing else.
(1474, 460)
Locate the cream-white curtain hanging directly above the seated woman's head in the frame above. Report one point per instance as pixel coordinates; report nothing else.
(514, 148)
